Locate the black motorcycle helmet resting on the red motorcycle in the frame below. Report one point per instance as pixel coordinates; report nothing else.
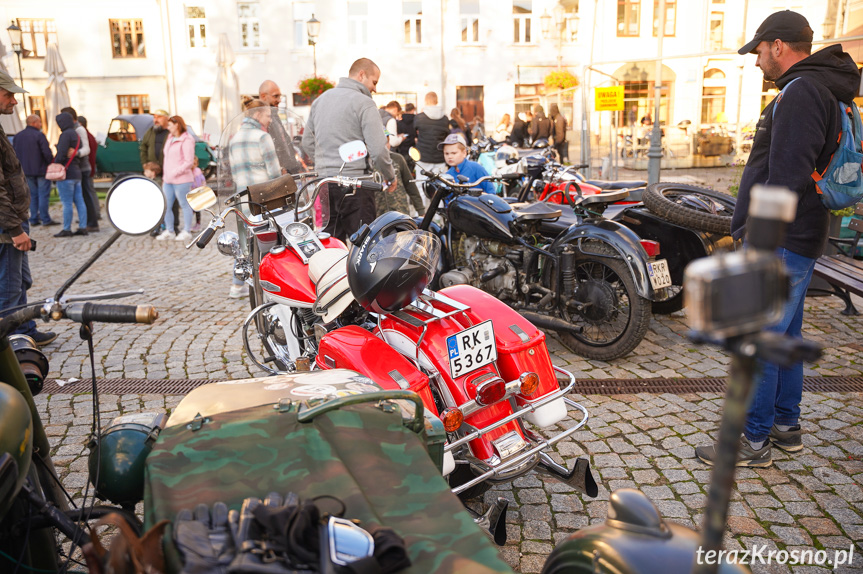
(391, 262)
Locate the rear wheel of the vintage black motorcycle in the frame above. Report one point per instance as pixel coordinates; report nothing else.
(616, 317)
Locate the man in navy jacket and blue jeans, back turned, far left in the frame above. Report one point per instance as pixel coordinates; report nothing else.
(34, 153)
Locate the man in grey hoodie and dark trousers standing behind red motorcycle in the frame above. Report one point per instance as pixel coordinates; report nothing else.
(343, 114)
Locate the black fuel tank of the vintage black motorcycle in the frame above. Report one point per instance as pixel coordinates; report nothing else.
(487, 216)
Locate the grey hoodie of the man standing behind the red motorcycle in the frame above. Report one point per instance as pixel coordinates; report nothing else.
(340, 115)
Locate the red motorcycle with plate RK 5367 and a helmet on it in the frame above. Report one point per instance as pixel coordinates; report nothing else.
(481, 369)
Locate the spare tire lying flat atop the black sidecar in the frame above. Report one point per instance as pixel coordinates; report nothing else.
(663, 199)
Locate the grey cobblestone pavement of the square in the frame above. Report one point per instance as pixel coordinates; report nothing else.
(811, 499)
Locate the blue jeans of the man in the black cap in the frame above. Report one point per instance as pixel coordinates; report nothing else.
(777, 396)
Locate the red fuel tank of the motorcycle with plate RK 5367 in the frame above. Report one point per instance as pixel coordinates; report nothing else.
(285, 278)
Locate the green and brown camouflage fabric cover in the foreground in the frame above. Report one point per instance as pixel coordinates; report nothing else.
(360, 454)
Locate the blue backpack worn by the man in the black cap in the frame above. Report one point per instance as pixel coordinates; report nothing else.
(841, 183)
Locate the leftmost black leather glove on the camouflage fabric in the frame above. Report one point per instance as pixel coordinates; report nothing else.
(204, 539)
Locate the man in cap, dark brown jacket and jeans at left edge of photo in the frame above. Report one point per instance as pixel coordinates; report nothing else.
(15, 276)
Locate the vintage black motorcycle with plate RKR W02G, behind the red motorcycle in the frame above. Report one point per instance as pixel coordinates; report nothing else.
(587, 279)
